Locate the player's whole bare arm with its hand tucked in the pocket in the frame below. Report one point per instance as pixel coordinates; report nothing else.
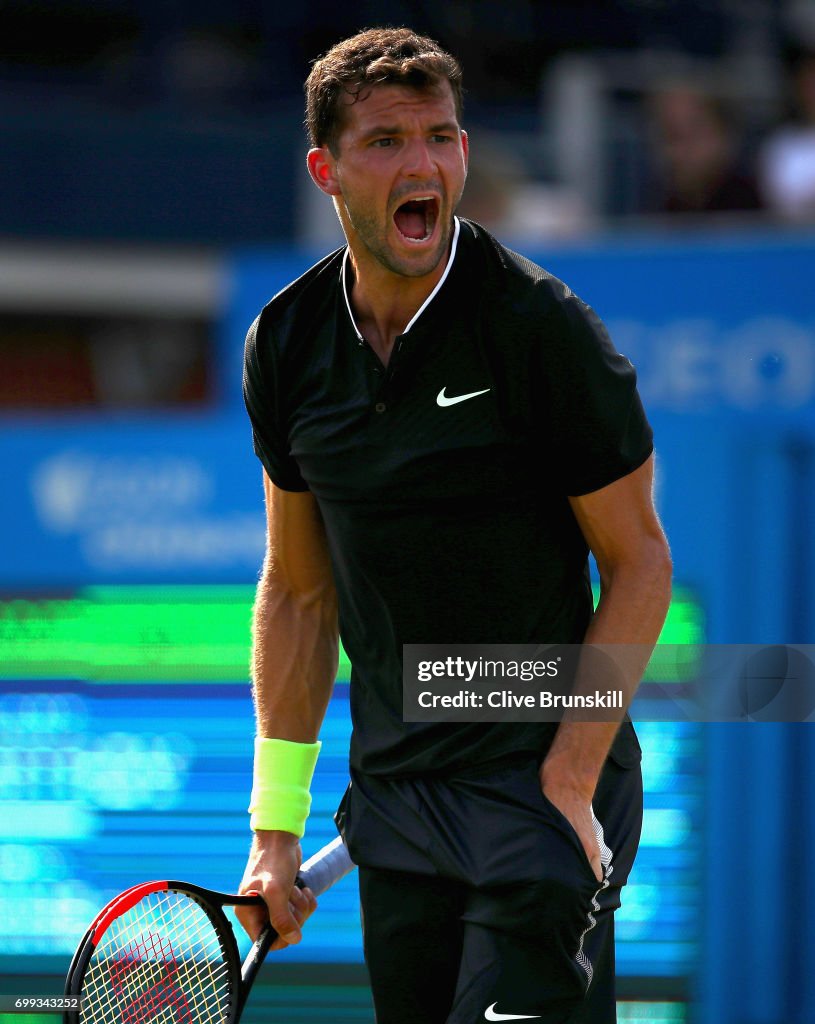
(621, 526)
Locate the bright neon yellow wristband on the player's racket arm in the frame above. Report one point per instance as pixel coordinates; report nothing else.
(281, 798)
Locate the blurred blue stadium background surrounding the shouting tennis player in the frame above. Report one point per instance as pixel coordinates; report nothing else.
(658, 156)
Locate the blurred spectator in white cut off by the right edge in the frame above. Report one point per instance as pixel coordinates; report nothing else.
(788, 160)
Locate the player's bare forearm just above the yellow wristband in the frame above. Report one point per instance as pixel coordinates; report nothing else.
(294, 658)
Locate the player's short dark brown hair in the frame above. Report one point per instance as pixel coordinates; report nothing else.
(374, 57)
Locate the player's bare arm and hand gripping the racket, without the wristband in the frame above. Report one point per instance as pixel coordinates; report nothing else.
(294, 664)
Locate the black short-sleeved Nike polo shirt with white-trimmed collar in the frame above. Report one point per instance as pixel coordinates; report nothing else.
(448, 521)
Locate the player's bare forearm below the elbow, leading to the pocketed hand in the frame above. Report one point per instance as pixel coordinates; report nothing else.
(630, 616)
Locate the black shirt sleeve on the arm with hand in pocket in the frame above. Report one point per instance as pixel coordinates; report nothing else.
(599, 431)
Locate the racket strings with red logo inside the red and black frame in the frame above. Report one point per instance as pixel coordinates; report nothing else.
(161, 962)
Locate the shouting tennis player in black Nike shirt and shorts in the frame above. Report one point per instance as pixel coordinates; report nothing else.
(446, 433)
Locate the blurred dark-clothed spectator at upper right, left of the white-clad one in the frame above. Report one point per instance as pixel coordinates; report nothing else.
(697, 154)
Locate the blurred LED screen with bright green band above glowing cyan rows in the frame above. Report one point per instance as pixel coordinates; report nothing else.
(126, 724)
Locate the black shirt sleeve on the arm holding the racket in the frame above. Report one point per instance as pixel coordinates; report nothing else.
(263, 390)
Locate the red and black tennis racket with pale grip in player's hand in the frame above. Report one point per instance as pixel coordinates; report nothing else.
(165, 952)
